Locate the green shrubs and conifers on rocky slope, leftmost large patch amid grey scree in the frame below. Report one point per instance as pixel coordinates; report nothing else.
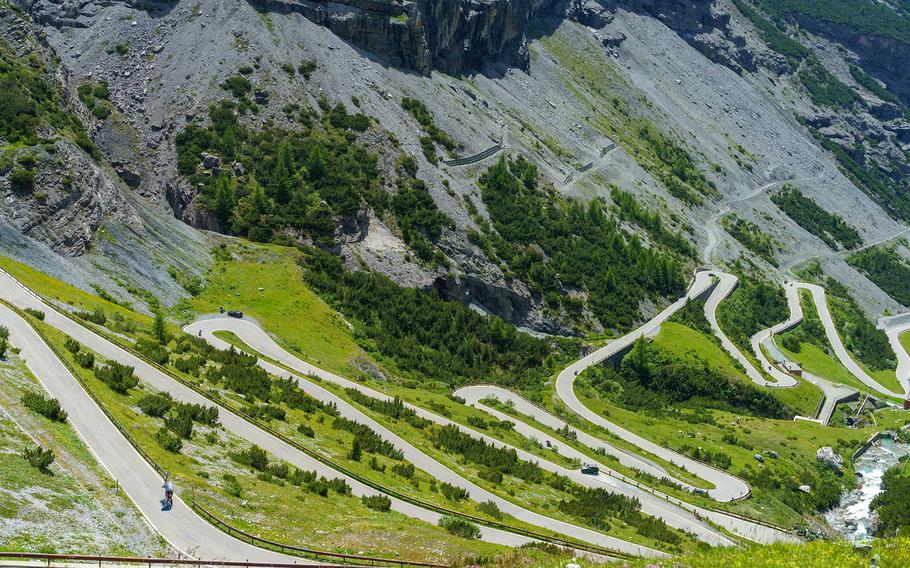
(303, 180)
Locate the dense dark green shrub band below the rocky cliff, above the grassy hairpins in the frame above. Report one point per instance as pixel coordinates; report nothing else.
(424, 335)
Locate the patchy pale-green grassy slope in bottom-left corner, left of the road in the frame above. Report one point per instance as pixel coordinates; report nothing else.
(72, 509)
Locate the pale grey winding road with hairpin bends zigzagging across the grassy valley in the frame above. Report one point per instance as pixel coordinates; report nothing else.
(716, 285)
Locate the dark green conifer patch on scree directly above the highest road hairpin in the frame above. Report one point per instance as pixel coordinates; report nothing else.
(557, 245)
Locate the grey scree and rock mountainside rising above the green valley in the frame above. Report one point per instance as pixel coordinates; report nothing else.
(705, 109)
